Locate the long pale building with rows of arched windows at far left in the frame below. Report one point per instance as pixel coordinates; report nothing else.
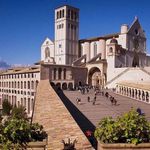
(18, 86)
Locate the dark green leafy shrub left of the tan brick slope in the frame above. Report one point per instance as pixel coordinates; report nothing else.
(17, 131)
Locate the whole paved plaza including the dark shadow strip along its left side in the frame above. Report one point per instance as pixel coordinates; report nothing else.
(88, 115)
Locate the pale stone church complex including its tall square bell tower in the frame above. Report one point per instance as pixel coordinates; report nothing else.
(103, 60)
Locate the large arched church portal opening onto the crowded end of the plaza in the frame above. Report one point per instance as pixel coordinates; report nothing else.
(94, 77)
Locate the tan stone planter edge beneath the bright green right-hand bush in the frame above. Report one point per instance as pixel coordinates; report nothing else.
(123, 146)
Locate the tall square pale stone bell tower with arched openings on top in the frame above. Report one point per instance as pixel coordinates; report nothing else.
(66, 34)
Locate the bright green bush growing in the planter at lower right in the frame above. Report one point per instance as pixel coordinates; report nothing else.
(129, 128)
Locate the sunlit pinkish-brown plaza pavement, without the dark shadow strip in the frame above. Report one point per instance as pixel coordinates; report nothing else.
(103, 106)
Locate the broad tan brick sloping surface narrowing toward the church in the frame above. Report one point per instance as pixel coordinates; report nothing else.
(50, 112)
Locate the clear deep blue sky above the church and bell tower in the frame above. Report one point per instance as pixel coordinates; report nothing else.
(24, 24)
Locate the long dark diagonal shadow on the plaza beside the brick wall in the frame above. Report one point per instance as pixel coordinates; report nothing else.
(79, 117)
